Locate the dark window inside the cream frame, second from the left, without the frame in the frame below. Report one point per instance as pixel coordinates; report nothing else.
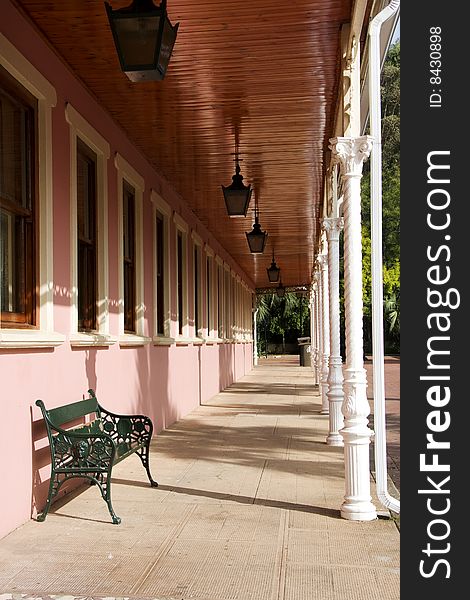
(86, 237)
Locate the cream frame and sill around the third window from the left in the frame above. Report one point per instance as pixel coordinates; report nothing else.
(125, 172)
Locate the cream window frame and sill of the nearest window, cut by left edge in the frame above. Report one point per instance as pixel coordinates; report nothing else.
(30, 78)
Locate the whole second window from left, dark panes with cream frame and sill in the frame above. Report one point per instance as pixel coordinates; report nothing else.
(89, 154)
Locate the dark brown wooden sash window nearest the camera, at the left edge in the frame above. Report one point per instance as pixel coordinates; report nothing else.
(18, 212)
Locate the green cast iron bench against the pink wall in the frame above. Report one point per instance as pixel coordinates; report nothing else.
(91, 449)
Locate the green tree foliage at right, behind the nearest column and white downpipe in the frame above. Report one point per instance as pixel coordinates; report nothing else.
(390, 92)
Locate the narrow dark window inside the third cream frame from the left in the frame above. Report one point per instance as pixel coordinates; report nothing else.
(128, 242)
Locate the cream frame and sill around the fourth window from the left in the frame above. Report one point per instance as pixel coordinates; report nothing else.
(160, 206)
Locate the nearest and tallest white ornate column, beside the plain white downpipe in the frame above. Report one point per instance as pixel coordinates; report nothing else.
(350, 153)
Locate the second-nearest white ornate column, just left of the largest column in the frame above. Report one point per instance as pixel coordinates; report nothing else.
(332, 228)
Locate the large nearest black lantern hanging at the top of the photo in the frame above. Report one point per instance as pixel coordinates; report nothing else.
(144, 39)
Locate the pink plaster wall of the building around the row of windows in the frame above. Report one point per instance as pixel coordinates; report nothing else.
(146, 379)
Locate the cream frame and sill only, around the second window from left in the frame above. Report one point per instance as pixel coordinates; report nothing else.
(81, 129)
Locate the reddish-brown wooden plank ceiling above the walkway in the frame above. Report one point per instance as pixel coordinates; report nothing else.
(265, 67)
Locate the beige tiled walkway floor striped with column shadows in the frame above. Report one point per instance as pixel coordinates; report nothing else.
(247, 509)
